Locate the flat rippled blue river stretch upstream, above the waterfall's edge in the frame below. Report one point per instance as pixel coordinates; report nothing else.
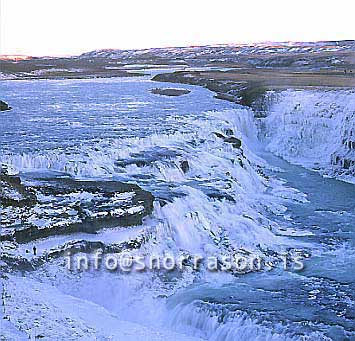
(51, 115)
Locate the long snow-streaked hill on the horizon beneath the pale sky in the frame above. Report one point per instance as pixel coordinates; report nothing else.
(250, 53)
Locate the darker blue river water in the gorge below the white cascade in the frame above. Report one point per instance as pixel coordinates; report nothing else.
(318, 302)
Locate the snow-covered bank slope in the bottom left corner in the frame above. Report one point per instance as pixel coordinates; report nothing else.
(39, 309)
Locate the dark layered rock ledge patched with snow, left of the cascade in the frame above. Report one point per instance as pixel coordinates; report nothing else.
(53, 206)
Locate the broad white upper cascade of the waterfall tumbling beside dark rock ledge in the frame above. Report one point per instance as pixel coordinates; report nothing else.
(195, 220)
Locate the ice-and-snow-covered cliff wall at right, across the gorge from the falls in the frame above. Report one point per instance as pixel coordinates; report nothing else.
(313, 128)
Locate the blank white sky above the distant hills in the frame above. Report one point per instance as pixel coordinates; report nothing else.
(71, 27)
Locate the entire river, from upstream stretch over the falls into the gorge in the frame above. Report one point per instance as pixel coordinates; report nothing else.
(116, 129)
